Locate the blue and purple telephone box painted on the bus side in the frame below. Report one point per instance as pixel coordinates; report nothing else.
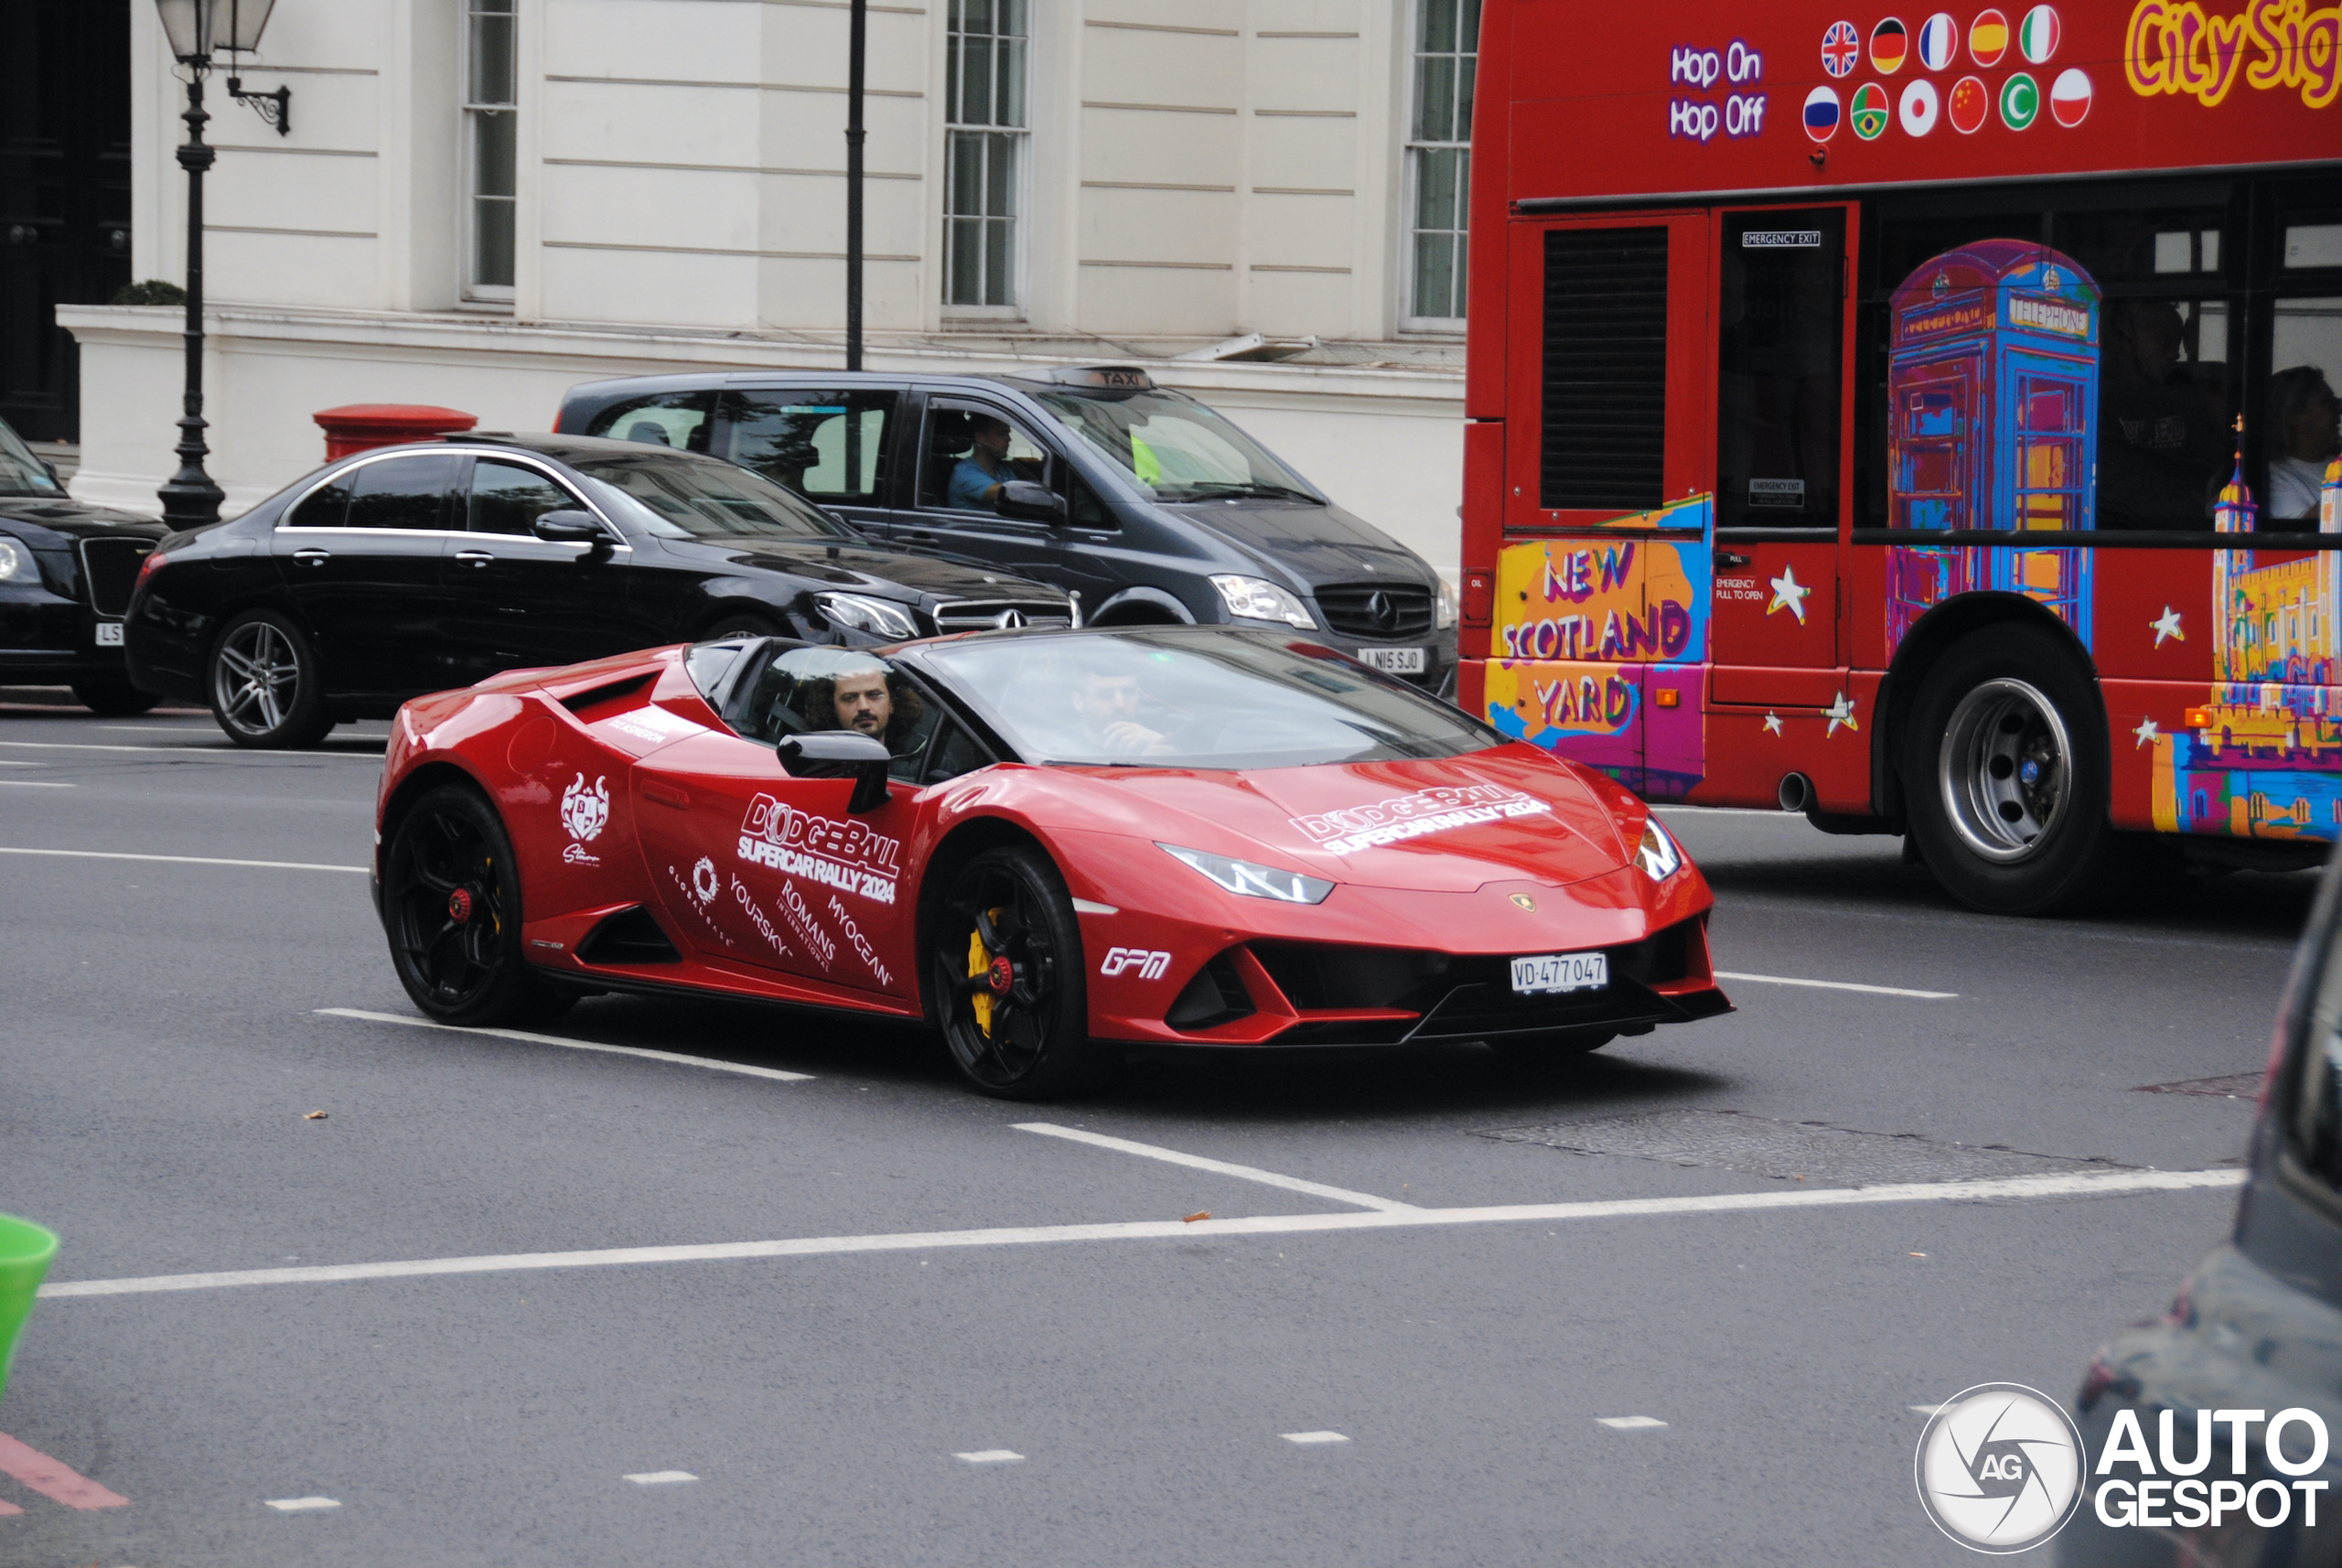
(1992, 425)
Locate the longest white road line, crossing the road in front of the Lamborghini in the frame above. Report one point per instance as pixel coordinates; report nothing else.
(2083, 1185)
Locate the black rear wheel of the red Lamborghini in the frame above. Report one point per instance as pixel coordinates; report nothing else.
(451, 907)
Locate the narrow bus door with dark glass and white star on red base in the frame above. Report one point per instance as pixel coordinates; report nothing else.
(1783, 331)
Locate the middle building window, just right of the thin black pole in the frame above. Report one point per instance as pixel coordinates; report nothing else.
(985, 114)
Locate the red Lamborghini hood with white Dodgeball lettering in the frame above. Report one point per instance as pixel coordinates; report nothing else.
(1451, 825)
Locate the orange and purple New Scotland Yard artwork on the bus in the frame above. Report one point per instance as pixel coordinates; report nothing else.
(1591, 631)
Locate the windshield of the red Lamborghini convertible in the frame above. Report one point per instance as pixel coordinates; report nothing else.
(1198, 699)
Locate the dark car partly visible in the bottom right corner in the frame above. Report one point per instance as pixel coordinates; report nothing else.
(2254, 1340)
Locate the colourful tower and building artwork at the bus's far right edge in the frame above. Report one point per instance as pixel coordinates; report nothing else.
(2264, 757)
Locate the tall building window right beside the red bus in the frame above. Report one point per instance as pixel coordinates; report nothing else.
(1439, 158)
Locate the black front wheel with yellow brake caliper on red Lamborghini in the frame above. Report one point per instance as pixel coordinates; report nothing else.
(1006, 977)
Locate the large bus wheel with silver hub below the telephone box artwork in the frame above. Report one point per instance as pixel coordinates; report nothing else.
(2006, 776)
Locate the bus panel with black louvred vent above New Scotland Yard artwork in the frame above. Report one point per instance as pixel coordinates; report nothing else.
(1598, 628)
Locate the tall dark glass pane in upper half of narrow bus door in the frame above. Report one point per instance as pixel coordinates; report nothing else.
(1779, 369)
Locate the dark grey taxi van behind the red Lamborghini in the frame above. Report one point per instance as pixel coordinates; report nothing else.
(1139, 500)
